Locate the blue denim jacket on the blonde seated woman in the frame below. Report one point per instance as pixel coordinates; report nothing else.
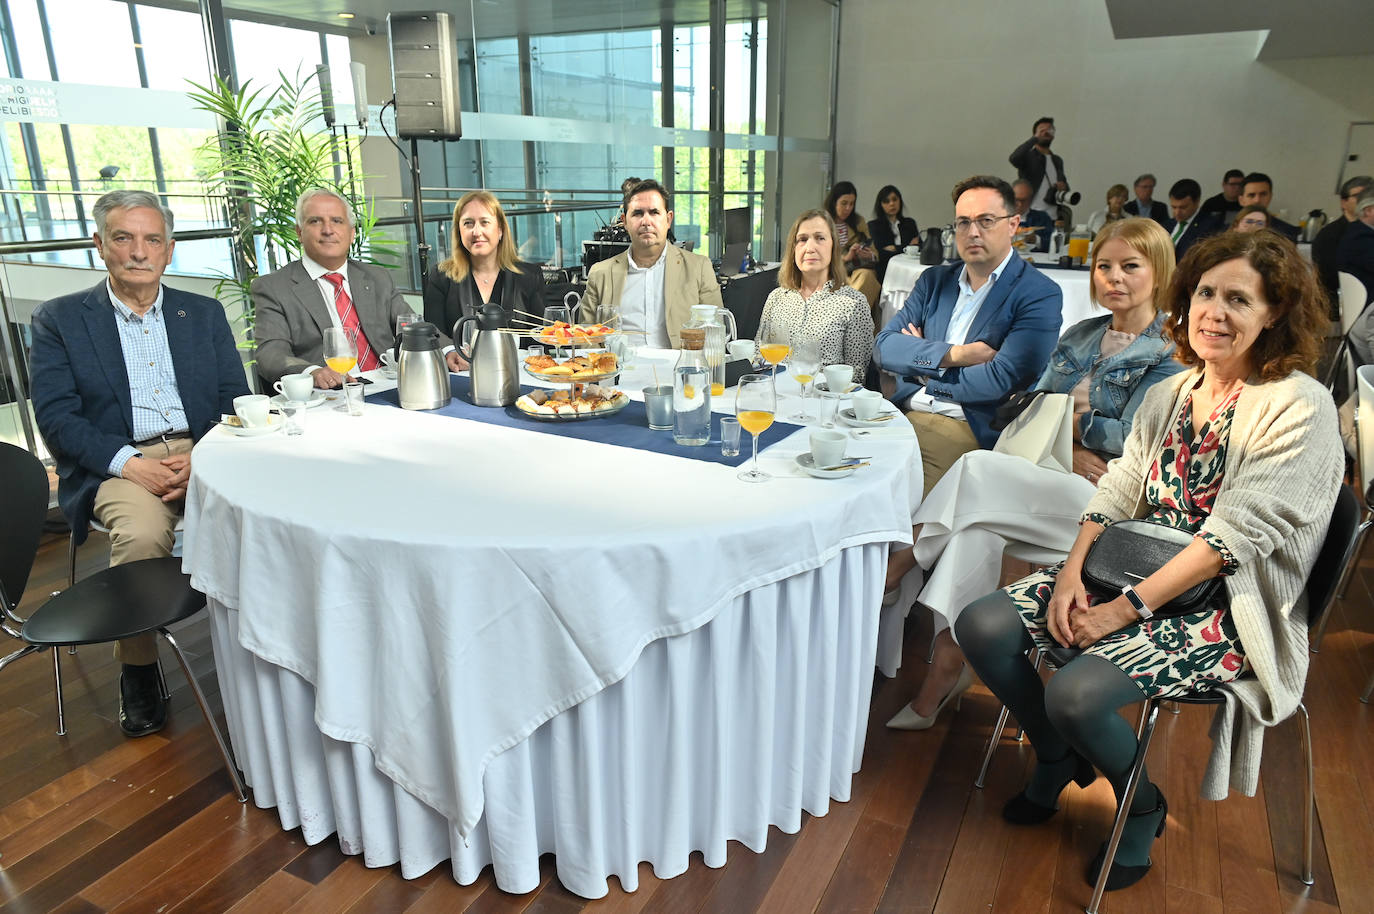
(1119, 383)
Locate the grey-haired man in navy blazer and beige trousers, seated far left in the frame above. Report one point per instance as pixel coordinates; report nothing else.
(127, 377)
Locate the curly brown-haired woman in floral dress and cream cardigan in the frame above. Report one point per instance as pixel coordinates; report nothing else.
(1244, 453)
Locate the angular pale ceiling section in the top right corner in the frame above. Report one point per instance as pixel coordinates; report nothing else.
(1296, 28)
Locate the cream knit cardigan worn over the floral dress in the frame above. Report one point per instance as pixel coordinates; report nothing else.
(1284, 468)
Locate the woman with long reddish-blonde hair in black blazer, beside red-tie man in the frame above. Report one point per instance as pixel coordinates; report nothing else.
(482, 267)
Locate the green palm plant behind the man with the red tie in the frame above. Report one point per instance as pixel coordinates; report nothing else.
(266, 155)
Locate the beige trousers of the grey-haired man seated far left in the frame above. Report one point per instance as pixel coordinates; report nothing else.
(142, 526)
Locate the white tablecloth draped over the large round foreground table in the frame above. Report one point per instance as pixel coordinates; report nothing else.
(449, 640)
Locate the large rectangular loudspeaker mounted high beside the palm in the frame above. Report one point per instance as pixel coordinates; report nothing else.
(425, 75)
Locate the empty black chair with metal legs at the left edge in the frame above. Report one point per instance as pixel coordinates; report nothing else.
(117, 603)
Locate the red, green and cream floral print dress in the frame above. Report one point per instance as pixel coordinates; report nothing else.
(1186, 654)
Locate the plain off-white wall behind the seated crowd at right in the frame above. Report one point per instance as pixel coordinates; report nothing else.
(931, 94)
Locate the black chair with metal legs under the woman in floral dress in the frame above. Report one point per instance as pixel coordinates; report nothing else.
(1338, 552)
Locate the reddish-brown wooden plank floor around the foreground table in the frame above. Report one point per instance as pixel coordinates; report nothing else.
(95, 823)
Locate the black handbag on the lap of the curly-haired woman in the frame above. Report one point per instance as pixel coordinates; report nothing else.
(1130, 552)
